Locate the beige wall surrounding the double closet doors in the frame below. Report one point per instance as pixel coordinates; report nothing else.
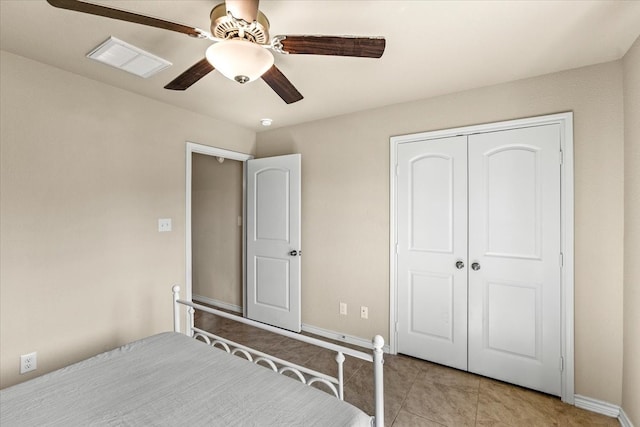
(345, 206)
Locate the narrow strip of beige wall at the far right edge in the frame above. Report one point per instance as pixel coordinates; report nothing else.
(631, 367)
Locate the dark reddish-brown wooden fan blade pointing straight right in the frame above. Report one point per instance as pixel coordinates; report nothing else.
(361, 47)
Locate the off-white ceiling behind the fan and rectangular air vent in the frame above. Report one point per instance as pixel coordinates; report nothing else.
(433, 48)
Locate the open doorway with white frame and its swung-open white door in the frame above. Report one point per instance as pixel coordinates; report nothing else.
(270, 233)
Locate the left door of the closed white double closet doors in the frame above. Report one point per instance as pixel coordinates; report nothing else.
(432, 238)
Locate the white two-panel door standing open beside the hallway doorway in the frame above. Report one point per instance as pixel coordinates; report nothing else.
(273, 241)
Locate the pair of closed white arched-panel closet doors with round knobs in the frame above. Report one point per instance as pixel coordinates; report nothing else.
(478, 257)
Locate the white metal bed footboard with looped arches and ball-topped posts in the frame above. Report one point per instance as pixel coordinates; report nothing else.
(305, 375)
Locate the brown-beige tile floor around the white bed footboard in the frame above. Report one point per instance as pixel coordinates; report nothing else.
(419, 393)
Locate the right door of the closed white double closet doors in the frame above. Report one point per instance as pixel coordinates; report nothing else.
(514, 242)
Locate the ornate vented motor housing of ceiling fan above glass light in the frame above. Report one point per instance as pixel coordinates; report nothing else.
(225, 26)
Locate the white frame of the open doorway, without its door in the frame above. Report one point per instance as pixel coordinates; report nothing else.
(192, 147)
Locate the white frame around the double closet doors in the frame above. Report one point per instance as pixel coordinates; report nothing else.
(565, 120)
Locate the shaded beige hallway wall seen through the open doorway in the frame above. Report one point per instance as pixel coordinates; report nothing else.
(216, 235)
